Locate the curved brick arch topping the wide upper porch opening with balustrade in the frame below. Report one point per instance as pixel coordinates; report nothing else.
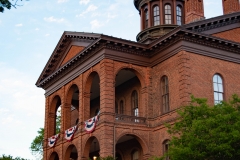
(137, 72)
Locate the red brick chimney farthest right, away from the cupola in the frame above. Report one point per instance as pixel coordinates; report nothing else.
(230, 6)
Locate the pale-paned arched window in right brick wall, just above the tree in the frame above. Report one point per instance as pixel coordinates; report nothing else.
(218, 88)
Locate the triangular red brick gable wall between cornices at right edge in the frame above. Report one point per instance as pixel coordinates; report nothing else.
(232, 35)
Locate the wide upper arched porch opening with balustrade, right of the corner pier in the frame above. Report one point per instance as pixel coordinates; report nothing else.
(127, 91)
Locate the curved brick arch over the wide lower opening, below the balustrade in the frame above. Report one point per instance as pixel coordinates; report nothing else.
(139, 139)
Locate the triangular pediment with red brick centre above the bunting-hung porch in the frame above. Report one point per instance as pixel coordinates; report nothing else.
(70, 45)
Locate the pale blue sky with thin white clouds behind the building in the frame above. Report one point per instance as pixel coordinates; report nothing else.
(28, 36)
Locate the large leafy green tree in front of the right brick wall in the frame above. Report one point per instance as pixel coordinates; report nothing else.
(206, 132)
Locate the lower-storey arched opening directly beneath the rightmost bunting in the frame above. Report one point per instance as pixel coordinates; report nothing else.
(92, 148)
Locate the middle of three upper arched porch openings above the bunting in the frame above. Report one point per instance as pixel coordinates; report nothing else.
(72, 109)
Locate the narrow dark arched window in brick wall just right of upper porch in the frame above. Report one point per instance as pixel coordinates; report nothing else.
(165, 94)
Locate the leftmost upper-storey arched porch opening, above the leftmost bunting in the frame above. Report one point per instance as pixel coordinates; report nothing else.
(54, 123)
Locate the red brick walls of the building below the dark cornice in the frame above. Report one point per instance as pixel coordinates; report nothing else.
(188, 73)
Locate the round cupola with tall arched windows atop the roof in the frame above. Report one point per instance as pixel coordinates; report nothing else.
(158, 17)
